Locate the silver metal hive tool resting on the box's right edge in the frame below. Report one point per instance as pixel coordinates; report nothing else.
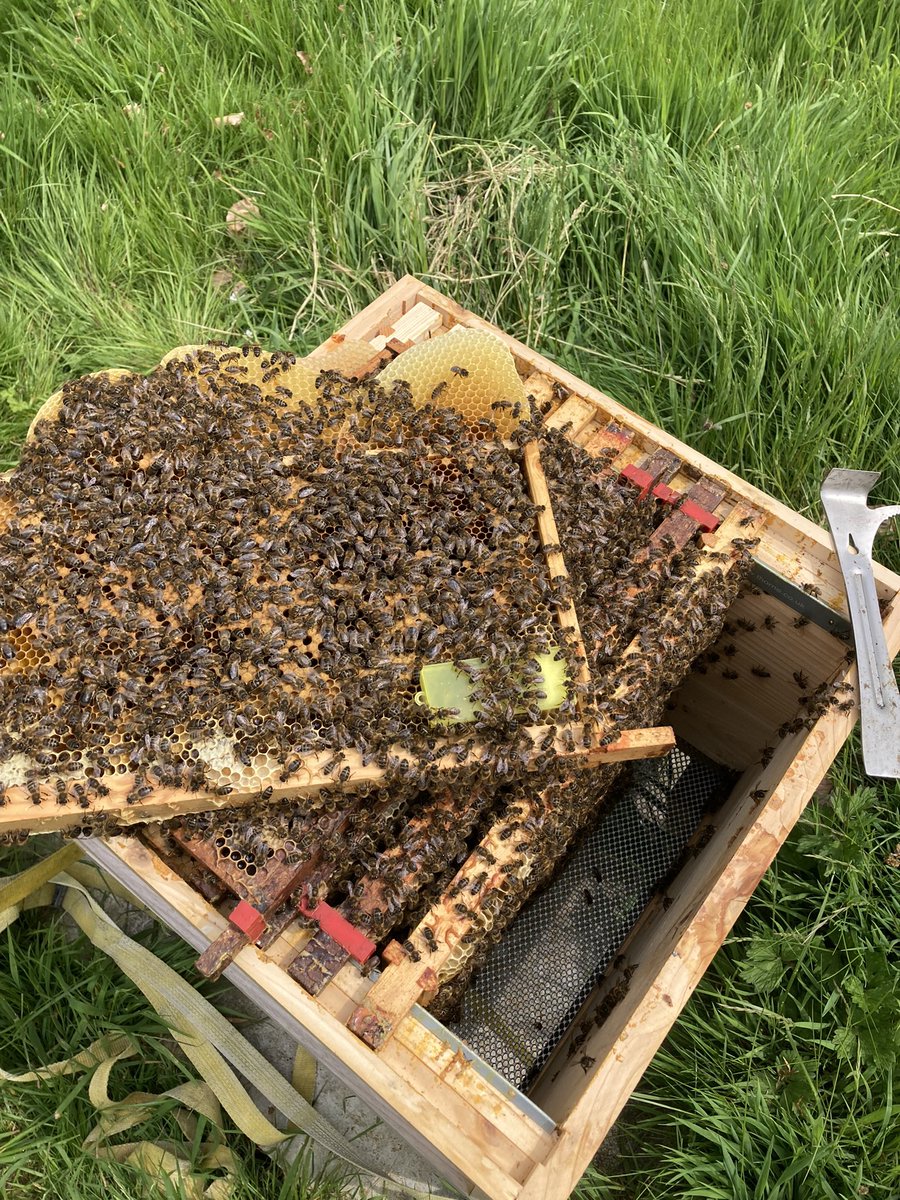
(854, 526)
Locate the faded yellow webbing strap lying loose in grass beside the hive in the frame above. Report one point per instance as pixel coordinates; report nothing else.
(208, 1040)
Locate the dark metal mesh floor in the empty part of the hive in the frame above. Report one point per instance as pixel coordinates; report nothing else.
(524, 998)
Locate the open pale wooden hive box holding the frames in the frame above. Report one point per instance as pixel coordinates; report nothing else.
(749, 705)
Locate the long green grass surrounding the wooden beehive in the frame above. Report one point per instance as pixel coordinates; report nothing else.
(695, 205)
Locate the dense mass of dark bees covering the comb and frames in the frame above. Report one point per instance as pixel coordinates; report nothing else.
(194, 560)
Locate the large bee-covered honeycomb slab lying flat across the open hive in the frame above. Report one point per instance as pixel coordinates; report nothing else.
(205, 541)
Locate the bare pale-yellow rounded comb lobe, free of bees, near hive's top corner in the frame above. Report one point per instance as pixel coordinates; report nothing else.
(467, 370)
